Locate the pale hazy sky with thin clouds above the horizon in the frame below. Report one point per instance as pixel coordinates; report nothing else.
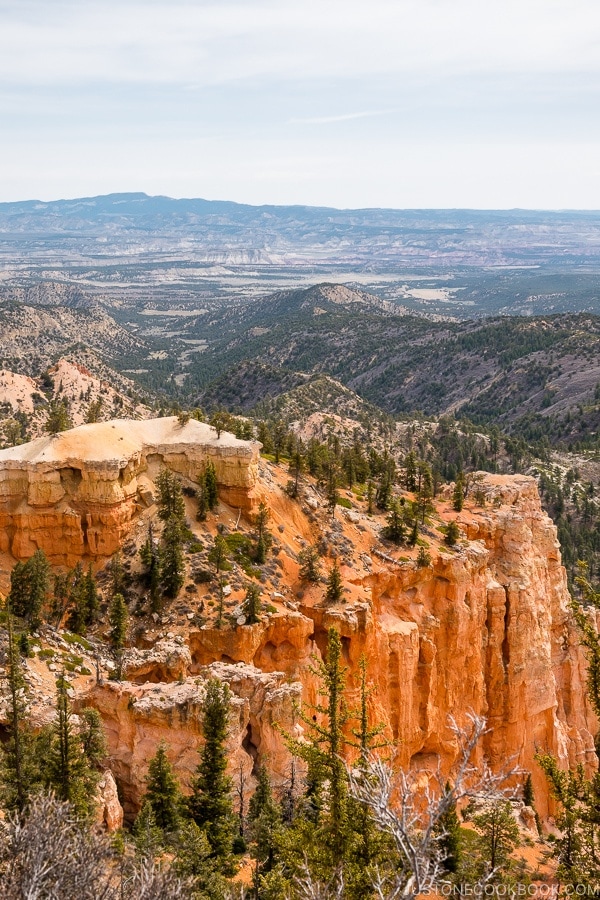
(408, 103)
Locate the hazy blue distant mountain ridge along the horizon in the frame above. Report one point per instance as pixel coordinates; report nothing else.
(352, 236)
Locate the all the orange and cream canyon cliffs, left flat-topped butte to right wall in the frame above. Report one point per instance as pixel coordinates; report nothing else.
(485, 628)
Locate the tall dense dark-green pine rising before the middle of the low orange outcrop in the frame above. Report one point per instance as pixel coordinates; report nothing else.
(210, 804)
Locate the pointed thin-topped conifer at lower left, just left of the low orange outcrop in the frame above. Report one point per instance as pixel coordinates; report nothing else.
(69, 773)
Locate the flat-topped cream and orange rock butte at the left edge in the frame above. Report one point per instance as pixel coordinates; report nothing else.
(78, 493)
